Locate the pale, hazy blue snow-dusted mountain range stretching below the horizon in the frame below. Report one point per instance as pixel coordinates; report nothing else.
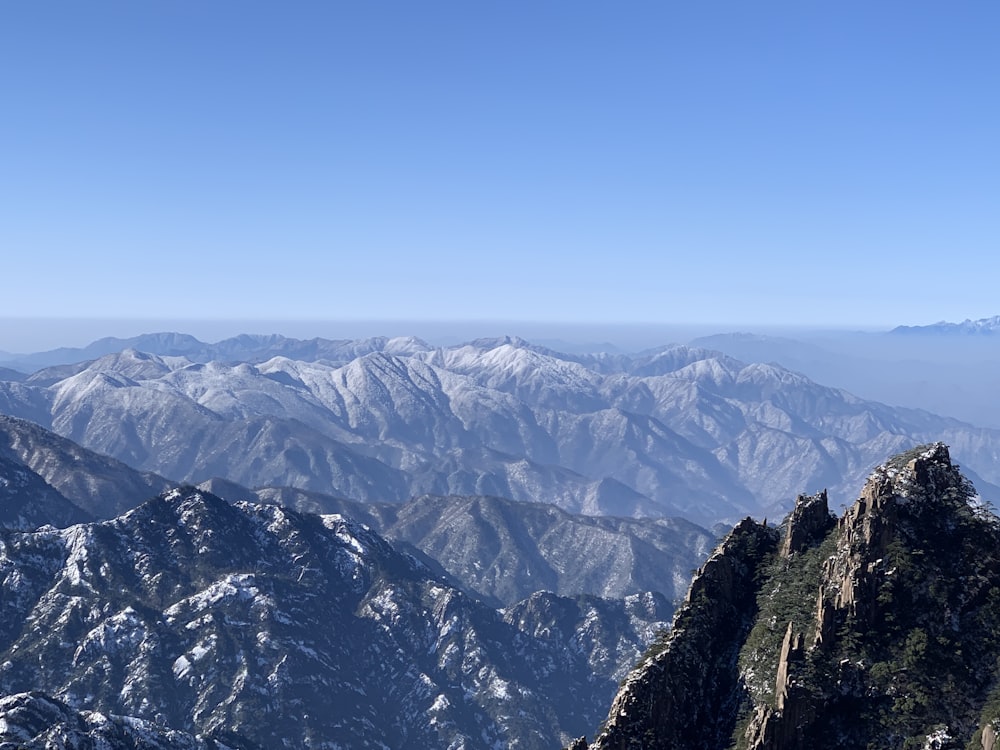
(677, 431)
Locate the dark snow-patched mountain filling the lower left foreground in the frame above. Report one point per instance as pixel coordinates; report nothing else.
(258, 626)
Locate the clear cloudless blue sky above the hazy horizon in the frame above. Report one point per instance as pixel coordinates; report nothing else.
(667, 162)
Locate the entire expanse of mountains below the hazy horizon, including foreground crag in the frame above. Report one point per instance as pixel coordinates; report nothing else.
(143, 613)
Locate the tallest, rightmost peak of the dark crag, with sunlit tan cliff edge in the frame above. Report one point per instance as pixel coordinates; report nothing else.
(915, 500)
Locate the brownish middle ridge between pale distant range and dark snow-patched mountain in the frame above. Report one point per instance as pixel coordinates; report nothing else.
(507, 550)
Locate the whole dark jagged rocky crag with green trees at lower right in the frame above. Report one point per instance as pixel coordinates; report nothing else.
(881, 632)
